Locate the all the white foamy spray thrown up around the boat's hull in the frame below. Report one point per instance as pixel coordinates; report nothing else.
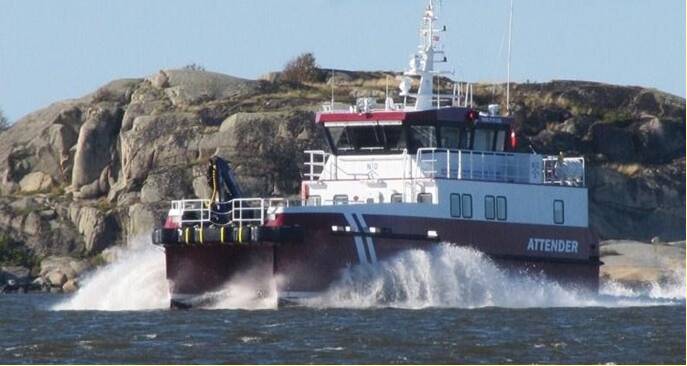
(445, 276)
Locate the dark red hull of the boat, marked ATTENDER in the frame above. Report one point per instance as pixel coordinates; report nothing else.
(312, 264)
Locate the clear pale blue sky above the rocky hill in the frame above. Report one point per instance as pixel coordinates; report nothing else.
(52, 50)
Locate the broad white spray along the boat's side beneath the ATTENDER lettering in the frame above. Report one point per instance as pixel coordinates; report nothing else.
(450, 276)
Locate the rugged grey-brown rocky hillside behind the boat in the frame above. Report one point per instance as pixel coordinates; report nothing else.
(82, 175)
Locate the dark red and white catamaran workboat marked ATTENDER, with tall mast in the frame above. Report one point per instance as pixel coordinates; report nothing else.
(412, 174)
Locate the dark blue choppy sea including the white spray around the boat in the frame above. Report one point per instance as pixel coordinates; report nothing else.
(445, 305)
